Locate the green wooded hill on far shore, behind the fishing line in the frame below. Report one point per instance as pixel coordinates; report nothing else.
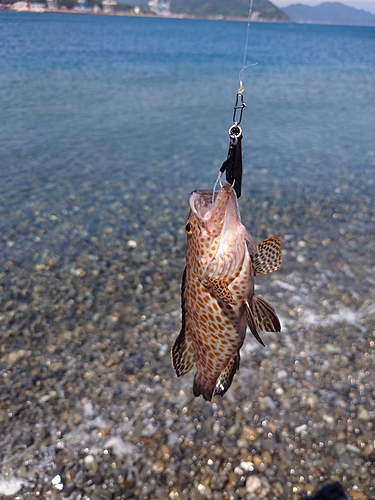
(225, 8)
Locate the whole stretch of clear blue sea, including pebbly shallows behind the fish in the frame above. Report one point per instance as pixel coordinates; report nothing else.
(107, 125)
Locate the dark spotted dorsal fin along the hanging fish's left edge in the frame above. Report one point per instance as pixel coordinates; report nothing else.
(182, 350)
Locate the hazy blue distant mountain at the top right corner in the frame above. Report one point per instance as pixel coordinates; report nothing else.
(329, 13)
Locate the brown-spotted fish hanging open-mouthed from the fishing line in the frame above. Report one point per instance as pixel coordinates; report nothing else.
(217, 294)
